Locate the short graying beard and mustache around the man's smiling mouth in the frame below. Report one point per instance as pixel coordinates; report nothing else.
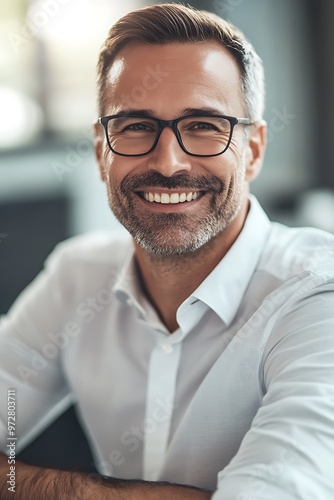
(172, 234)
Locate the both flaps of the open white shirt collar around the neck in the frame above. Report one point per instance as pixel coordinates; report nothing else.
(224, 287)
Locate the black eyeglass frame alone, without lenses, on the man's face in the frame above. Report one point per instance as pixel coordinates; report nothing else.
(173, 125)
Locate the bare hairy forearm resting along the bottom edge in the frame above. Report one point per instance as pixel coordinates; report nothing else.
(36, 483)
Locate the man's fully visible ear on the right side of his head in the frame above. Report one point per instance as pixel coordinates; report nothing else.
(256, 147)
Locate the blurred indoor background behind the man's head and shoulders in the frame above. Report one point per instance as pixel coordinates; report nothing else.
(49, 185)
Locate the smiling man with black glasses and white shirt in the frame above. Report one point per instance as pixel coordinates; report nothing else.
(199, 352)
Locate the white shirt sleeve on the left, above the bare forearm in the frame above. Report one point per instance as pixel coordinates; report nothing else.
(30, 355)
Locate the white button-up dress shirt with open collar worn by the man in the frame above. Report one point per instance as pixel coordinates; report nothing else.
(239, 399)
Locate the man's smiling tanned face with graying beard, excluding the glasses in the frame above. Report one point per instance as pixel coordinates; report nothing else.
(165, 81)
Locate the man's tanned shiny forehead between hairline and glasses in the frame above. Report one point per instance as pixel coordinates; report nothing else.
(171, 77)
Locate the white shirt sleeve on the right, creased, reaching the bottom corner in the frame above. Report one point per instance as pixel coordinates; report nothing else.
(288, 453)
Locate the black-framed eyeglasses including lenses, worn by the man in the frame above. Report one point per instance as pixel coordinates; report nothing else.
(197, 134)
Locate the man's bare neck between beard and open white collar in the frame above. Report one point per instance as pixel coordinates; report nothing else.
(168, 281)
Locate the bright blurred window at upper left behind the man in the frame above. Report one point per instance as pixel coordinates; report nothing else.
(48, 54)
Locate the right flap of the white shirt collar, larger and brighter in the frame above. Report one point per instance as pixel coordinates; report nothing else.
(225, 286)
